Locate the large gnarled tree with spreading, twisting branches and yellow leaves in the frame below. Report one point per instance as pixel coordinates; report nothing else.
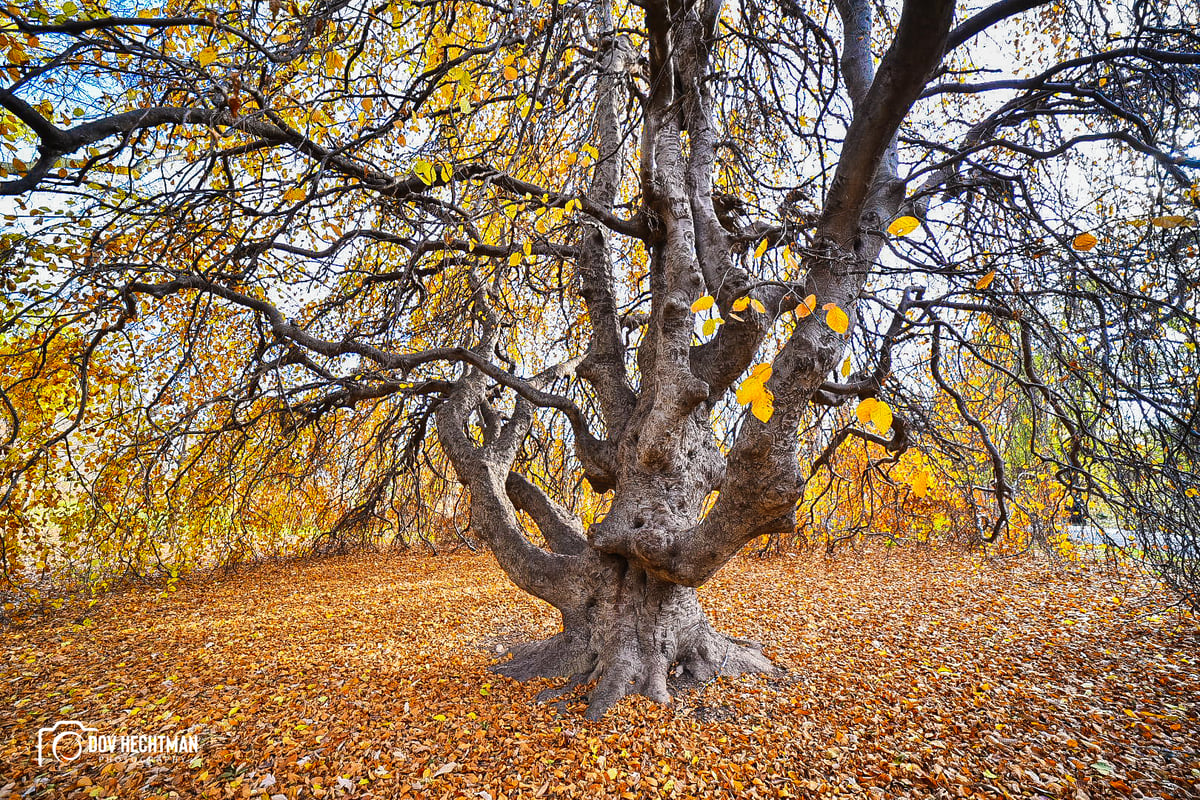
(589, 233)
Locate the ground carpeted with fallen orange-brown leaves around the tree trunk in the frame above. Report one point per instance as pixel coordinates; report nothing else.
(909, 675)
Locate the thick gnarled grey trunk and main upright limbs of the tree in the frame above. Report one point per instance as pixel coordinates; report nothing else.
(626, 587)
